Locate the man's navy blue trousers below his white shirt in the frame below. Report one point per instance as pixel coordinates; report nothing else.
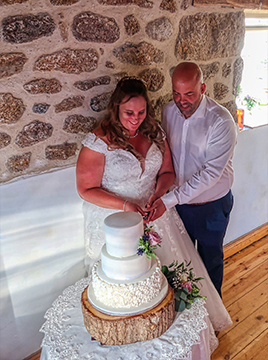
(207, 224)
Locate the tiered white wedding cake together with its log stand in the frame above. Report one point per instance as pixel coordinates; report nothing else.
(126, 284)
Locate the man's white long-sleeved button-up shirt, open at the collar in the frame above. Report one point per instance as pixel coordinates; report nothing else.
(202, 148)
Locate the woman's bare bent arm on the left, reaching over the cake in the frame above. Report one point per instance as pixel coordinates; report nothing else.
(89, 172)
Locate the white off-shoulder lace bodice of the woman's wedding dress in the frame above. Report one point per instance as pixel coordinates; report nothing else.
(123, 174)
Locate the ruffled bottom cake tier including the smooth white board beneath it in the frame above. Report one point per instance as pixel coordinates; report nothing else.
(130, 297)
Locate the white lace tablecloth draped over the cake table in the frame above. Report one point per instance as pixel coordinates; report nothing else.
(190, 337)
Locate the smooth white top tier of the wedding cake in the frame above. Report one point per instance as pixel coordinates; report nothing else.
(122, 233)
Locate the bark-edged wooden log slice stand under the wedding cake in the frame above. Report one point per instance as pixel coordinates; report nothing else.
(119, 330)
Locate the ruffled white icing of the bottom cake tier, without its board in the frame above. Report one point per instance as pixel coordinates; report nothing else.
(131, 294)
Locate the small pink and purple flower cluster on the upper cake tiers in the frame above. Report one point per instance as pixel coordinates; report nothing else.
(149, 242)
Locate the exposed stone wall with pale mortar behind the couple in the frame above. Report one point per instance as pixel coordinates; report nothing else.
(60, 60)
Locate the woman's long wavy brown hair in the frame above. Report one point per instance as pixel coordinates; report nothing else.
(118, 136)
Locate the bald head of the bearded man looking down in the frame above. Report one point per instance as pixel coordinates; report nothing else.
(188, 87)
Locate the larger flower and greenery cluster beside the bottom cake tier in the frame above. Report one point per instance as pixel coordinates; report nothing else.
(182, 279)
